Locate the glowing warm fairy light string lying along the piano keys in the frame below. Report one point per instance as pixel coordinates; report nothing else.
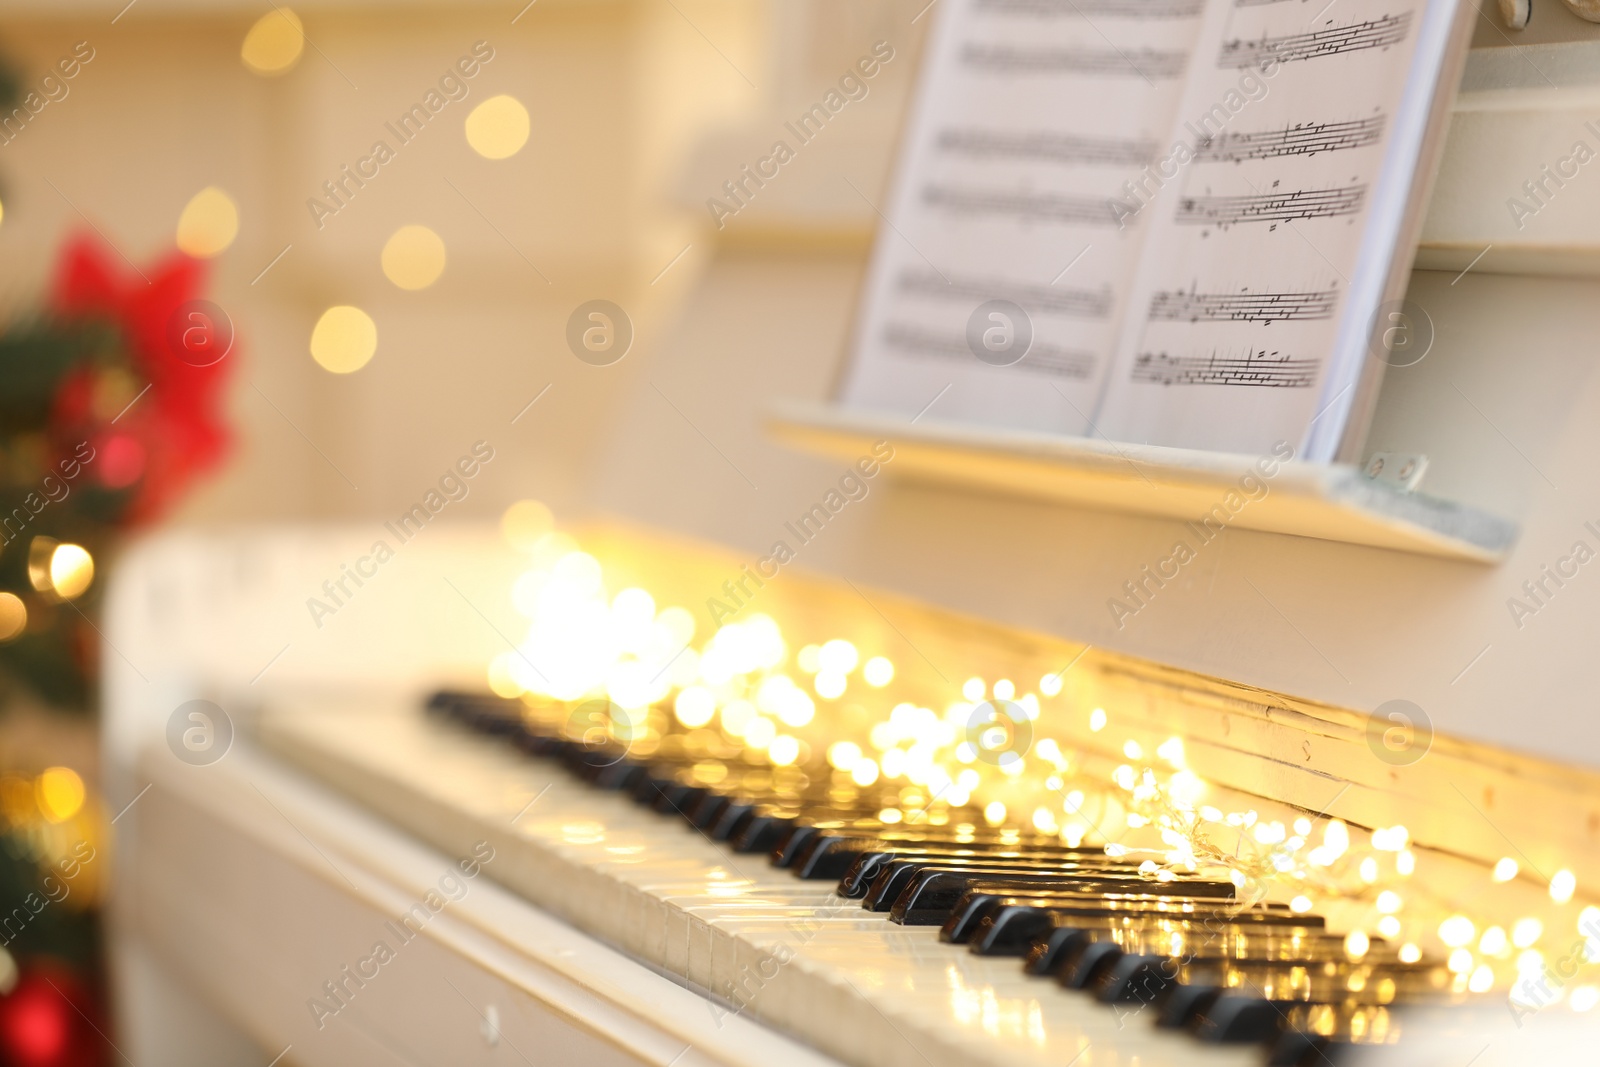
(746, 687)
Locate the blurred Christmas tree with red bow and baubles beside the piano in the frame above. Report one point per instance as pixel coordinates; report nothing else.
(110, 410)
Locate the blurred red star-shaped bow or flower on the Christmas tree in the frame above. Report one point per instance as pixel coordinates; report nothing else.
(175, 431)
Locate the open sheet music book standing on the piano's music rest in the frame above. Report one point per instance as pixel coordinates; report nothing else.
(1166, 222)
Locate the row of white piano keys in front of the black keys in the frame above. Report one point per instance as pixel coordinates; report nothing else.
(852, 983)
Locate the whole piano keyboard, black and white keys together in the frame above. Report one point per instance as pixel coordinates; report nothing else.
(874, 941)
